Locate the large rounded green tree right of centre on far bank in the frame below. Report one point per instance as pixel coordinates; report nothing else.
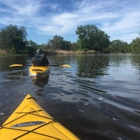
(92, 38)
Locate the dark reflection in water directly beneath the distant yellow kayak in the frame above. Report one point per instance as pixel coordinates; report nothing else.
(40, 81)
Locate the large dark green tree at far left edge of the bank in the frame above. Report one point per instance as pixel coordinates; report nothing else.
(12, 37)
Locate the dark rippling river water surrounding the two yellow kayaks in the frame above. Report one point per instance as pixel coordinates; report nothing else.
(97, 99)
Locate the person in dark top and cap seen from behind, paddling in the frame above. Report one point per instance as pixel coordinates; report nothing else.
(40, 59)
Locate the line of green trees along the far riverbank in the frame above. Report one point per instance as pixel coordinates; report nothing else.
(13, 39)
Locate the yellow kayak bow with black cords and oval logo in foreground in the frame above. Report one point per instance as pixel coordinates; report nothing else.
(31, 122)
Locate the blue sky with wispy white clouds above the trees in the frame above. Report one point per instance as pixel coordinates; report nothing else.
(44, 19)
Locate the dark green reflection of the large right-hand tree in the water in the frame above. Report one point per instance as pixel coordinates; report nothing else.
(91, 66)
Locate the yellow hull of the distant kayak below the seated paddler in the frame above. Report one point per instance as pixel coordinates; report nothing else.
(39, 71)
